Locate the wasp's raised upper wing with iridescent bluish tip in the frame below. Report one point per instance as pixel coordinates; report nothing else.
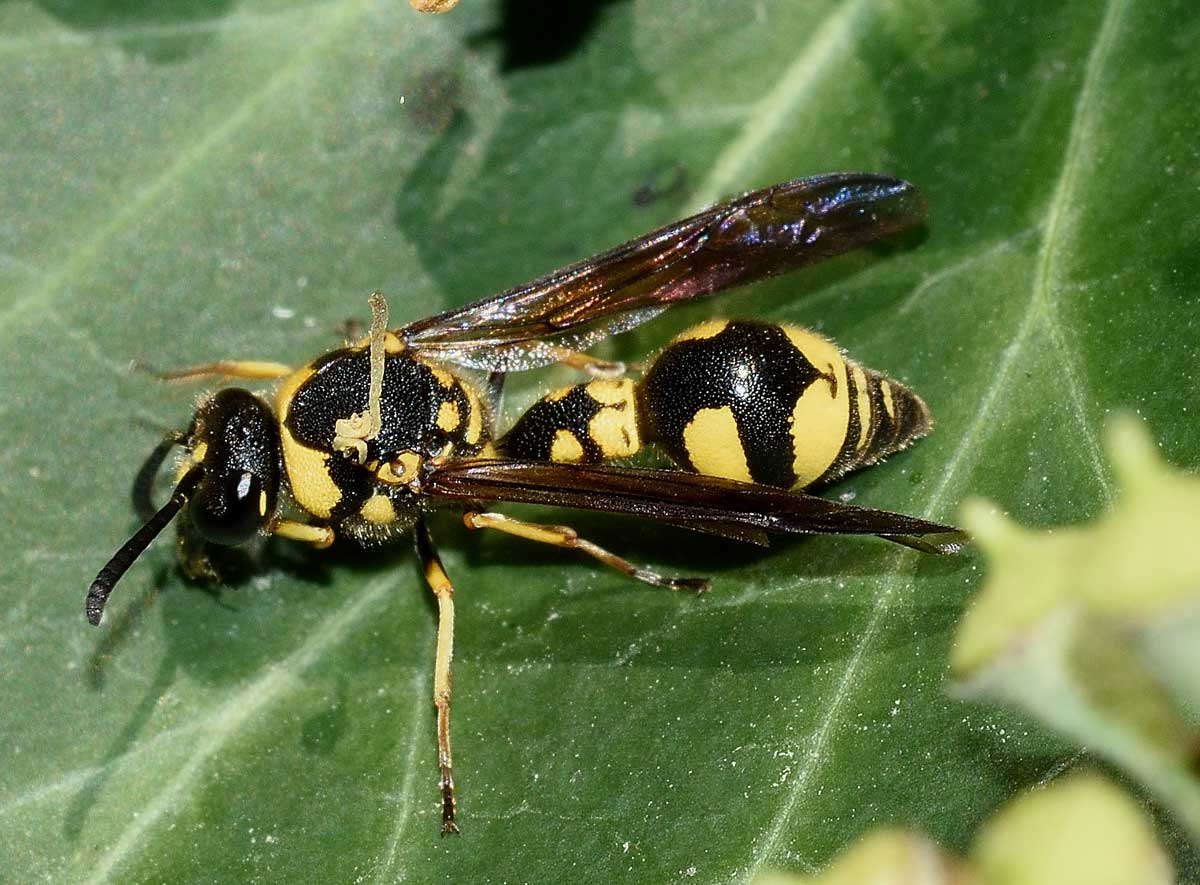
(753, 237)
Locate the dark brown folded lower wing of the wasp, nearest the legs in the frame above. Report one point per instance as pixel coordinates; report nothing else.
(739, 510)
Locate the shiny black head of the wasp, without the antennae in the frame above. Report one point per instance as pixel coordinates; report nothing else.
(237, 444)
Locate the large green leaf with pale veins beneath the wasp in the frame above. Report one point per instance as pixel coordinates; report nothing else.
(214, 179)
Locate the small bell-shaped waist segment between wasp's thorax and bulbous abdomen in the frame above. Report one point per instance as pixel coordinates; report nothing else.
(584, 424)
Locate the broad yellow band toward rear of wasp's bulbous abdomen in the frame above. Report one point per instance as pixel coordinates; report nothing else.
(821, 417)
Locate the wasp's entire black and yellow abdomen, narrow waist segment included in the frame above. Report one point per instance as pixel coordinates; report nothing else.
(758, 402)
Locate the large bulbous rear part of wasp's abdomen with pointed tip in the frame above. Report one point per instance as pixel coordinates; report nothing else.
(772, 404)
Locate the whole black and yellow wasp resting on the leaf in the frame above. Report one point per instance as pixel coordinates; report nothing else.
(369, 438)
